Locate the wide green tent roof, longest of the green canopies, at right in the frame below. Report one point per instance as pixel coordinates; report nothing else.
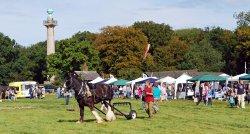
(207, 77)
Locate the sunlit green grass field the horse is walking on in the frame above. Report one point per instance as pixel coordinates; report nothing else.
(49, 115)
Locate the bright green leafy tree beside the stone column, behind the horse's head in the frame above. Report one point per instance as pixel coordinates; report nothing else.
(72, 54)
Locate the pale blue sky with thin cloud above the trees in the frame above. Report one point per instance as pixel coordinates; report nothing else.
(22, 19)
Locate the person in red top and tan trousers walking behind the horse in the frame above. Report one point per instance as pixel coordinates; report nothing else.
(149, 99)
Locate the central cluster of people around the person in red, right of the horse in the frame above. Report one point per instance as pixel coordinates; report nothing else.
(149, 94)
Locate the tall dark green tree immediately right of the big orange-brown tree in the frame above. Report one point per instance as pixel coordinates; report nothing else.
(159, 36)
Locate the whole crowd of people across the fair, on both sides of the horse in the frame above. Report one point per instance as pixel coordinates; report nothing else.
(151, 93)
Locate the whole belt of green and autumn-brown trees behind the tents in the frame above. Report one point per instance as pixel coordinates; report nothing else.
(120, 50)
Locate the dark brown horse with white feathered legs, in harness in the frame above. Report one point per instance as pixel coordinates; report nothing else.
(87, 97)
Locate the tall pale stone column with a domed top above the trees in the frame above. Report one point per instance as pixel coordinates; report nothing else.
(50, 23)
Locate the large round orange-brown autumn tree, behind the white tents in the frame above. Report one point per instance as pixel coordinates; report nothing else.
(121, 50)
